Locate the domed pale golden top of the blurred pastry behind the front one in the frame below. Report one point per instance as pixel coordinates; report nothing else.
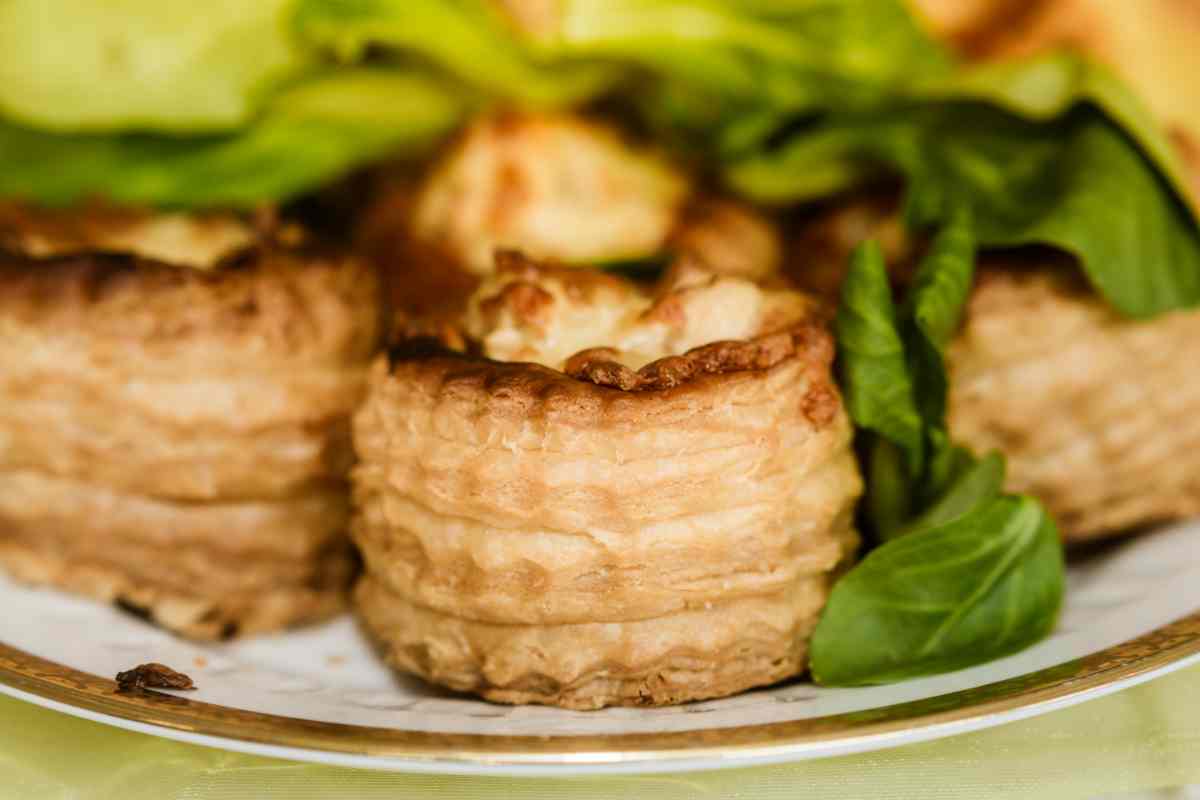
(555, 187)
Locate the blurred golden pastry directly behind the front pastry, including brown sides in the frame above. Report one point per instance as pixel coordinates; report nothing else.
(554, 187)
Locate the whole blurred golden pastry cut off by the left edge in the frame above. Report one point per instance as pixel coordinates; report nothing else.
(178, 438)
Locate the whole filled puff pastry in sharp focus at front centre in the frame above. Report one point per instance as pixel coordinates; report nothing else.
(626, 497)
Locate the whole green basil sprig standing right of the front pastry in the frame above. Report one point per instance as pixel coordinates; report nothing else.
(965, 574)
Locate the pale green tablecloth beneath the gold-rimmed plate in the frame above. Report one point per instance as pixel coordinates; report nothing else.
(1148, 737)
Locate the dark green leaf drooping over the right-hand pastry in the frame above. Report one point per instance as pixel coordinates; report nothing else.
(1079, 185)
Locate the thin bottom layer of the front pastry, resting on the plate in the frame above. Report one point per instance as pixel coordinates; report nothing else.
(710, 652)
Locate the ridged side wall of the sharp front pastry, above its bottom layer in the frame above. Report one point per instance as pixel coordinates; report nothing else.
(514, 494)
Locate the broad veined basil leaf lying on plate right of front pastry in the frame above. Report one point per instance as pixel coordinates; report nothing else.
(950, 597)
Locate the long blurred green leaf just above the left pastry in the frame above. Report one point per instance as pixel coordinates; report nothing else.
(308, 136)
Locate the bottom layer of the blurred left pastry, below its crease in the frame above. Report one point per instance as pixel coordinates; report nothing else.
(207, 570)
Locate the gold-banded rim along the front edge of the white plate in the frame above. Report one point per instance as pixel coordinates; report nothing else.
(394, 749)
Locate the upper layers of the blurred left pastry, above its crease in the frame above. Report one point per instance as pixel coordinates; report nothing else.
(172, 382)
